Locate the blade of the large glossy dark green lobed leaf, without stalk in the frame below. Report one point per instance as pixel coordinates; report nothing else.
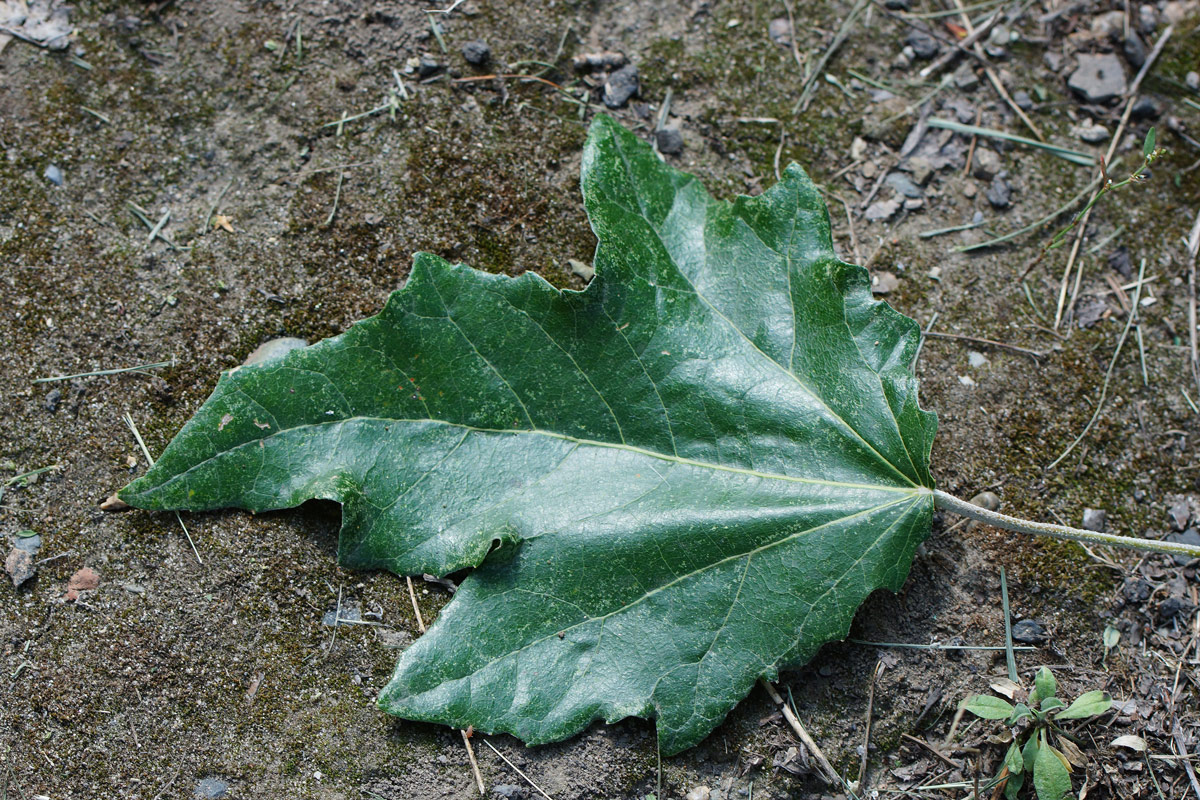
(695, 470)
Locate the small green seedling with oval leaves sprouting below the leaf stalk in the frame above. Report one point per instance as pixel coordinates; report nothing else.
(1042, 753)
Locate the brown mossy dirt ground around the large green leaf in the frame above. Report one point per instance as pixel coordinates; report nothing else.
(176, 678)
